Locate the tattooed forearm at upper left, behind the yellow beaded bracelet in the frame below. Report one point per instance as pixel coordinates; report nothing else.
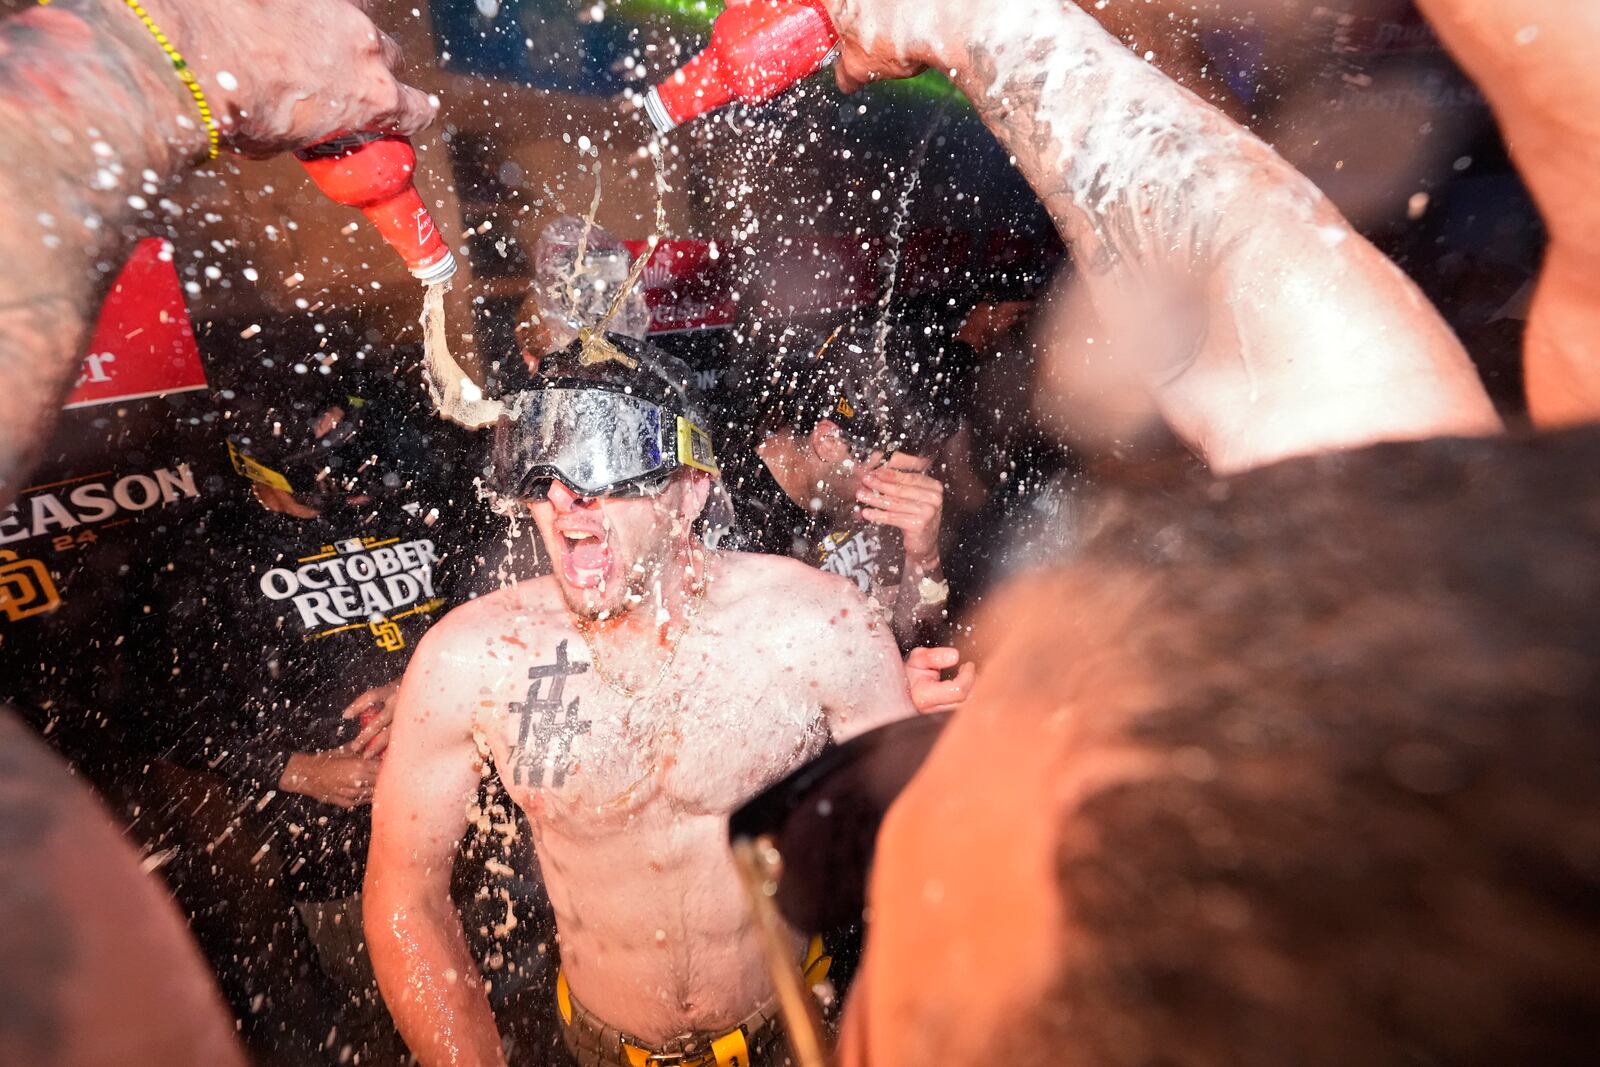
(92, 122)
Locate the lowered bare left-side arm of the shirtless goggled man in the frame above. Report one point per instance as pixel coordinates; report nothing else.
(420, 815)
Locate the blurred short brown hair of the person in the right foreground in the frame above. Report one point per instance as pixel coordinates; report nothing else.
(1377, 837)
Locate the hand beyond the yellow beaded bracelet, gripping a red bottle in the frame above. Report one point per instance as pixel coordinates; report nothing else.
(292, 73)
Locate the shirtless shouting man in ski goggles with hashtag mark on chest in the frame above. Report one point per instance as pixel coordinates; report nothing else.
(631, 700)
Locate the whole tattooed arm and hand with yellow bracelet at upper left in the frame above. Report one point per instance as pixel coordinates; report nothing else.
(95, 122)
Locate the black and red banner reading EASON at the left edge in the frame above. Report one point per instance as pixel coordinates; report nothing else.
(71, 545)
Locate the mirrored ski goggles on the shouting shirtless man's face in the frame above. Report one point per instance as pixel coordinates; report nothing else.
(596, 442)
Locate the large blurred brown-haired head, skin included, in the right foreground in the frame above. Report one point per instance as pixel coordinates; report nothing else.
(1295, 769)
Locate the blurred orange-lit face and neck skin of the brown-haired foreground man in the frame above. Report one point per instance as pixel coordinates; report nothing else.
(956, 945)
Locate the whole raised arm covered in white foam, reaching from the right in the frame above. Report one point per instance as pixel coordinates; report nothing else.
(1217, 276)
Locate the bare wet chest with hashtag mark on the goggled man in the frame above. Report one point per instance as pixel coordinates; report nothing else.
(585, 759)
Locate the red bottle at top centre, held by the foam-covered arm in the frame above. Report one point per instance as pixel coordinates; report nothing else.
(758, 50)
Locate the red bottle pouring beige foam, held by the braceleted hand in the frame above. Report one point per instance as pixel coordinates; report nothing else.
(374, 172)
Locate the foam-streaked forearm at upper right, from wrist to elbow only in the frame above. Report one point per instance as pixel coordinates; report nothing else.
(1137, 172)
